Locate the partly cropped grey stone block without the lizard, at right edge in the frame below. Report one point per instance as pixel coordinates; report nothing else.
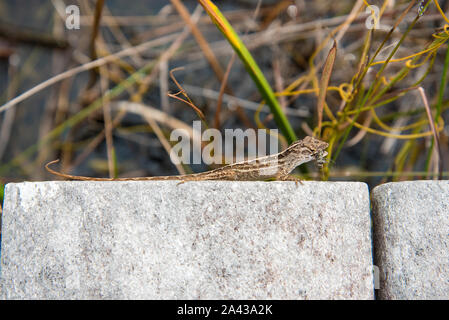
(411, 239)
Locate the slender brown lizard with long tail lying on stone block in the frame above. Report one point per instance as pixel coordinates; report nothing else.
(277, 166)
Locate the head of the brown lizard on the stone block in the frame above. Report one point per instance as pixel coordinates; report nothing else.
(309, 149)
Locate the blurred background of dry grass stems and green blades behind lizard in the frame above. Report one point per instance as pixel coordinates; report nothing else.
(380, 99)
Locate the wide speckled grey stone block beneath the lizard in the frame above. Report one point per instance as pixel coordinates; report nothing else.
(196, 240)
